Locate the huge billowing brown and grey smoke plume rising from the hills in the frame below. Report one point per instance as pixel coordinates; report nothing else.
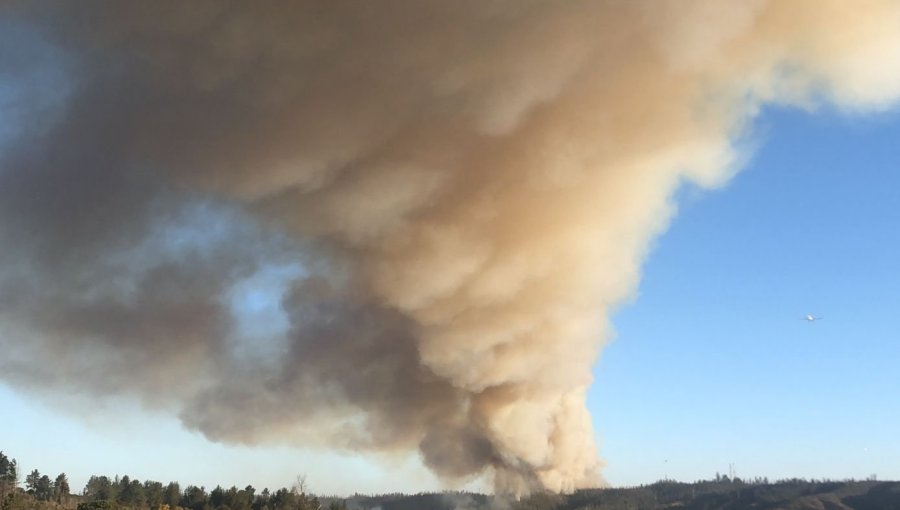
(467, 188)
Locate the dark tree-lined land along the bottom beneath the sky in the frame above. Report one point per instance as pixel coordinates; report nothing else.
(37, 491)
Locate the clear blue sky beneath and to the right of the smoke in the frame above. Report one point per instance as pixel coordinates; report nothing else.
(712, 363)
